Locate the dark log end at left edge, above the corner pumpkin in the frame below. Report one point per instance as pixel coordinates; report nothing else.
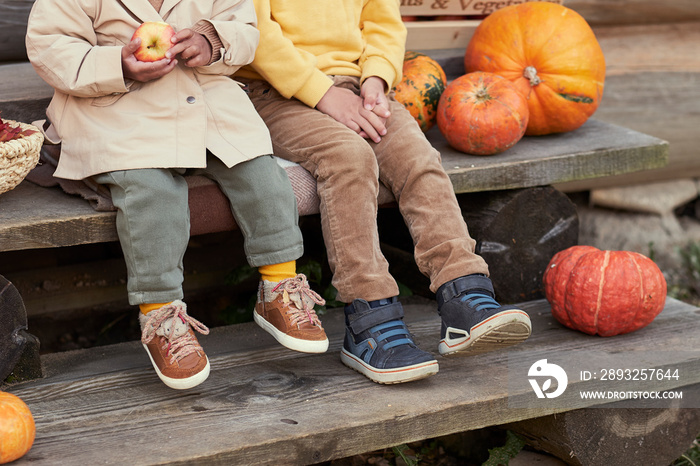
(13, 325)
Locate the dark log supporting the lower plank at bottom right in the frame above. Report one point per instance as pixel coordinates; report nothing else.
(613, 436)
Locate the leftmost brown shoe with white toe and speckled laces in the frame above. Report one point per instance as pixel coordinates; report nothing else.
(172, 346)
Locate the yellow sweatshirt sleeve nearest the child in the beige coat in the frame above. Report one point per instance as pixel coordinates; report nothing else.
(290, 70)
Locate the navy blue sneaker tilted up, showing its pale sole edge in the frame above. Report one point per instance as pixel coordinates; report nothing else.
(473, 322)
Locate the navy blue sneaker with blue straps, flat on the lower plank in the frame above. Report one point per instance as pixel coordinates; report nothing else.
(378, 344)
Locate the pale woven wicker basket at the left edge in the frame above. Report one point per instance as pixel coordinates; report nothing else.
(19, 156)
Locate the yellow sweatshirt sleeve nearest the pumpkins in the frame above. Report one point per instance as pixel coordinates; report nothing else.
(385, 36)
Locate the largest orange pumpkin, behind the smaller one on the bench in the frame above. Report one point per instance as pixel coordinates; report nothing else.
(551, 54)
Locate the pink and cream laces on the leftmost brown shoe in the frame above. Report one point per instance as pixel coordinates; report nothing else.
(176, 346)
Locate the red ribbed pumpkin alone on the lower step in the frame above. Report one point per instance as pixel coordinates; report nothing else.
(604, 292)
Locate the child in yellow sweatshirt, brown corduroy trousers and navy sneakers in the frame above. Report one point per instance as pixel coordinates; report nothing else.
(320, 80)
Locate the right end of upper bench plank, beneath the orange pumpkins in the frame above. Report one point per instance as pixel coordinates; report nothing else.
(595, 149)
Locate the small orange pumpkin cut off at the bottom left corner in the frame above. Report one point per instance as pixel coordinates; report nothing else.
(17, 428)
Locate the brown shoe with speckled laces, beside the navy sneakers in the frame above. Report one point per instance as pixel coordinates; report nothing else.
(286, 311)
